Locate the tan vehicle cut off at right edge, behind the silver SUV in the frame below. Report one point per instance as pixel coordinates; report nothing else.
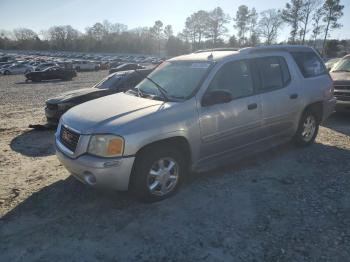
(340, 74)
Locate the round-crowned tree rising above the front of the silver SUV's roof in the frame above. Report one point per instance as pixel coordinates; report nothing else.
(216, 21)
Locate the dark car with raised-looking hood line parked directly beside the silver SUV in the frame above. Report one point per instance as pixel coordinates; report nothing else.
(114, 83)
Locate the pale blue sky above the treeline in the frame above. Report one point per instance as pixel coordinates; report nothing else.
(41, 14)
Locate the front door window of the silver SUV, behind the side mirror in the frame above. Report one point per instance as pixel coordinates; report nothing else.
(234, 77)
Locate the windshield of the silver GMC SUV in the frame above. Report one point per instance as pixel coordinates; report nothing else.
(178, 79)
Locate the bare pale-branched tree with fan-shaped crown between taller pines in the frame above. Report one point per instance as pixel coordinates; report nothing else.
(269, 24)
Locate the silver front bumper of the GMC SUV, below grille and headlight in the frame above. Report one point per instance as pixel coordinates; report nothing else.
(112, 173)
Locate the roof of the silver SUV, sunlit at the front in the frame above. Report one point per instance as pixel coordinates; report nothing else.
(222, 53)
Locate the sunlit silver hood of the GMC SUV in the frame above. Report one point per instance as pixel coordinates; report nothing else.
(105, 114)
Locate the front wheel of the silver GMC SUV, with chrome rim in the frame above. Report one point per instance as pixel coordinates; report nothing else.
(158, 173)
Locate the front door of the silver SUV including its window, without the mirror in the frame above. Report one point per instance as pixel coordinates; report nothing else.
(236, 124)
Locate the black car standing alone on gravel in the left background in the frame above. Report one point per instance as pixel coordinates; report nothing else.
(51, 73)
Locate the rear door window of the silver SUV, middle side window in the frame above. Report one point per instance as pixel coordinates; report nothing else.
(274, 73)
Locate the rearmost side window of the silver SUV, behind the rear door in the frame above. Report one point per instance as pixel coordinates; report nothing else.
(309, 64)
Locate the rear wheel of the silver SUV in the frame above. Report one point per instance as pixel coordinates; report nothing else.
(308, 128)
